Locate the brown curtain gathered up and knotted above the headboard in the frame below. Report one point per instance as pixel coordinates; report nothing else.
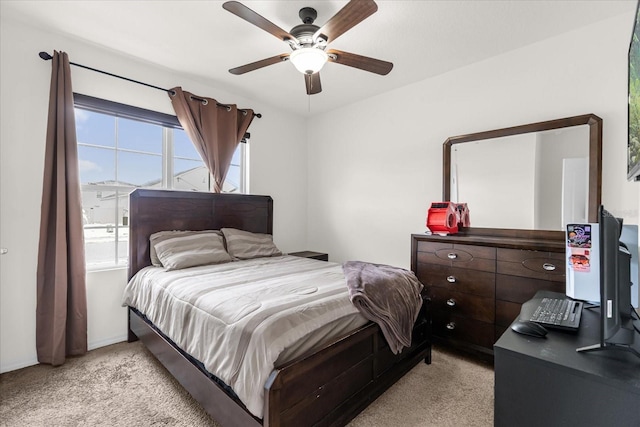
(215, 130)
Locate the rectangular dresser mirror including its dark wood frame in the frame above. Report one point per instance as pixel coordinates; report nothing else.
(538, 176)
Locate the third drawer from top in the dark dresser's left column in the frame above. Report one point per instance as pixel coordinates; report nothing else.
(462, 304)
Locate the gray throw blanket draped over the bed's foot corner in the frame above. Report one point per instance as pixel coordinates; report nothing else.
(389, 296)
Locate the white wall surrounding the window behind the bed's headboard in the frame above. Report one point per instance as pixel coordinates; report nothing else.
(278, 168)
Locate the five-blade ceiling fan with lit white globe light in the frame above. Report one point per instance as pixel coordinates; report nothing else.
(308, 42)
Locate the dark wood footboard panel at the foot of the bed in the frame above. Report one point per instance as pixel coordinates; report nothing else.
(335, 384)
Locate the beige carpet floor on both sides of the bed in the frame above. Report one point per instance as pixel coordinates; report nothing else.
(123, 385)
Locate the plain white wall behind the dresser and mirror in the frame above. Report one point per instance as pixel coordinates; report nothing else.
(371, 183)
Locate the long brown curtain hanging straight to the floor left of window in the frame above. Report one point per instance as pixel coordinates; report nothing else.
(61, 313)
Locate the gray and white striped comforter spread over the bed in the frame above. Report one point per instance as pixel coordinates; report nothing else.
(241, 318)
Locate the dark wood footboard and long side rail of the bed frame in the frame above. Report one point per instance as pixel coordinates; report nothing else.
(326, 388)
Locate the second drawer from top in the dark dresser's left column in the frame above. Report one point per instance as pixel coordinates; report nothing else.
(475, 282)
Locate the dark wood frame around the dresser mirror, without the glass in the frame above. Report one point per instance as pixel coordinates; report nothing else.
(595, 155)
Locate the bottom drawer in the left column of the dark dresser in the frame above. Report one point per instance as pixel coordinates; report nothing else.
(450, 326)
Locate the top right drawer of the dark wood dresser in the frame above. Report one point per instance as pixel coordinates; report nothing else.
(534, 264)
